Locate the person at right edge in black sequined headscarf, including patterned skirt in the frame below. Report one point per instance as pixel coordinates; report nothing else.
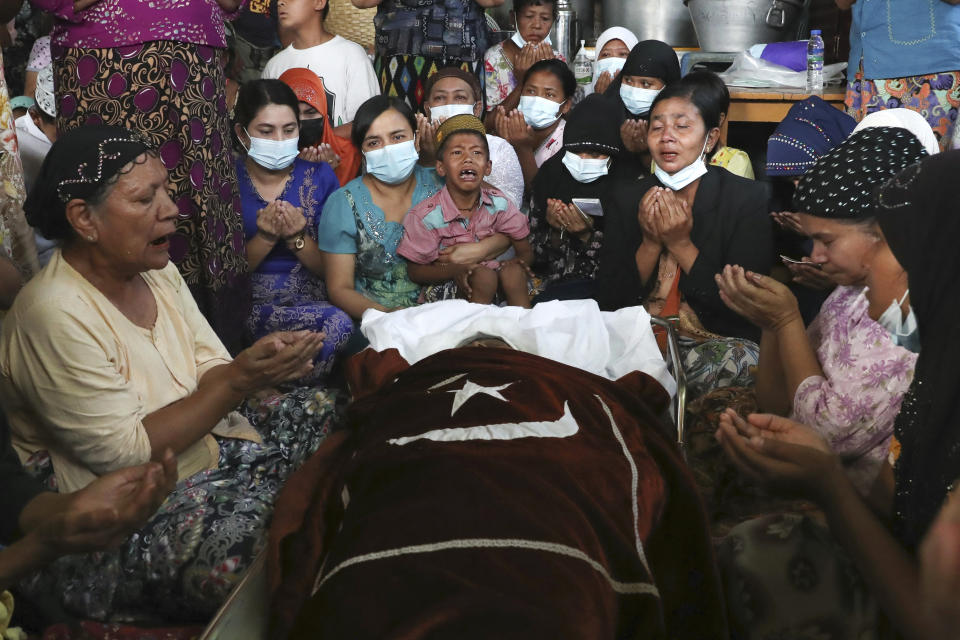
(915, 211)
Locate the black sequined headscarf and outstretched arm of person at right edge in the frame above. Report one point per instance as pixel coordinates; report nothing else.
(916, 213)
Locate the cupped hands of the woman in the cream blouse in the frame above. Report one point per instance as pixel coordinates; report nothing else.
(279, 357)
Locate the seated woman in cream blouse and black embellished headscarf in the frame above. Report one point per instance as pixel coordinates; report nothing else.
(107, 362)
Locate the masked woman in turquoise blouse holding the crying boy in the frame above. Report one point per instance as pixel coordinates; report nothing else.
(362, 223)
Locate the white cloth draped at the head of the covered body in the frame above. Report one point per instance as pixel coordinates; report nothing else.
(571, 332)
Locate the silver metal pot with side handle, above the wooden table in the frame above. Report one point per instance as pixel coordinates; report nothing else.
(736, 25)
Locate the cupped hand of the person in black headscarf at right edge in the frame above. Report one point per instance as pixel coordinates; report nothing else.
(780, 453)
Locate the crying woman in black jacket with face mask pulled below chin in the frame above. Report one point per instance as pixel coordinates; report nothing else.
(670, 233)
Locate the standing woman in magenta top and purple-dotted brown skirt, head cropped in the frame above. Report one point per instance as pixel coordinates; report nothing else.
(156, 67)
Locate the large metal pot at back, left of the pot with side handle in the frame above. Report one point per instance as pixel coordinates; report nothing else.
(666, 20)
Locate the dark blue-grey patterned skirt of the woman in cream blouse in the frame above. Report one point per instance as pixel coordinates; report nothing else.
(180, 567)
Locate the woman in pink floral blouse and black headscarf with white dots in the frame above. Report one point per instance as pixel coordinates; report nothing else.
(847, 373)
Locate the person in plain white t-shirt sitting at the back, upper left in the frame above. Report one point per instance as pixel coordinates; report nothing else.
(343, 65)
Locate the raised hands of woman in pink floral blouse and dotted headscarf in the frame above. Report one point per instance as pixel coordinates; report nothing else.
(760, 299)
